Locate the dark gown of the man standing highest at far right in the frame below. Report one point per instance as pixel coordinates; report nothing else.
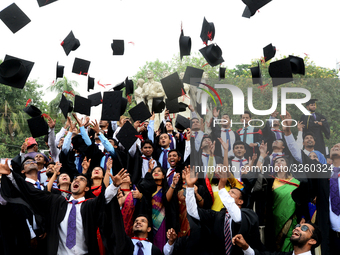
(317, 130)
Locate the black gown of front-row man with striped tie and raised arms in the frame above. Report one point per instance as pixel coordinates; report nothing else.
(212, 224)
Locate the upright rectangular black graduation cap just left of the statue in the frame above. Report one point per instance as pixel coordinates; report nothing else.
(111, 109)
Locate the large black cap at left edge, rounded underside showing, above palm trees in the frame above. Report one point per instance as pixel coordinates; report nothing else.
(15, 71)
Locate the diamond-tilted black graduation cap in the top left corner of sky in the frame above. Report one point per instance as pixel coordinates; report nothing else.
(14, 18)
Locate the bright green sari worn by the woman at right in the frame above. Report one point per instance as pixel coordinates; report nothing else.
(284, 215)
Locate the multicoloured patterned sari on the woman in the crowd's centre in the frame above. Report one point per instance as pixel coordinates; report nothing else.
(158, 220)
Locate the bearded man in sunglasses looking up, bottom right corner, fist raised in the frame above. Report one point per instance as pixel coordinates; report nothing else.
(305, 237)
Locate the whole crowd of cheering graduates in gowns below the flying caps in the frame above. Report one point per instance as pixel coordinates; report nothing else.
(124, 187)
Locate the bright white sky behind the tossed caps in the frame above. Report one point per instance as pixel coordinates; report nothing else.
(294, 27)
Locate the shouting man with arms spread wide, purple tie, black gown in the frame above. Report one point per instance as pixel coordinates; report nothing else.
(71, 224)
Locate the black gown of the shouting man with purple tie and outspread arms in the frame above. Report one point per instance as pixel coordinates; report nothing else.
(53, 208)
